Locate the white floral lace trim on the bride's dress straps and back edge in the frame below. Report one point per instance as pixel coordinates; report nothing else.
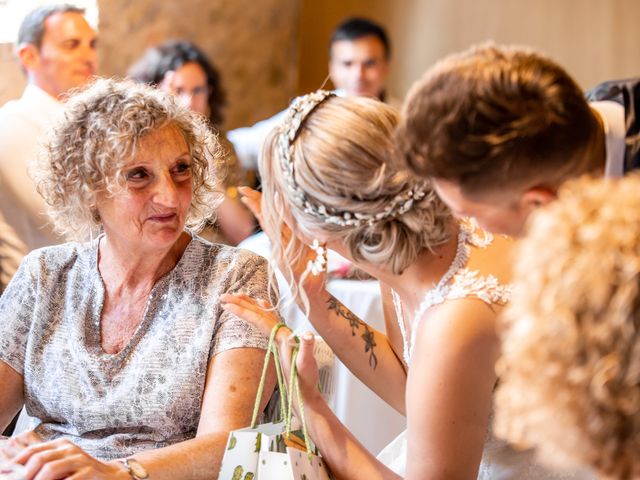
(458, 282)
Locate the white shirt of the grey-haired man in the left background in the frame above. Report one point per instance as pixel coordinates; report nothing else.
(24, 224)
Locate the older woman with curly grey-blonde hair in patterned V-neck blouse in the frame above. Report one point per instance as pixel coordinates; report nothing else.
(118, 346)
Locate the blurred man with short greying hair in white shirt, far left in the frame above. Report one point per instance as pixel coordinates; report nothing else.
(57, 50)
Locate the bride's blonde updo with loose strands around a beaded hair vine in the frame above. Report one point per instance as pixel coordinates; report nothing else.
(344, 159)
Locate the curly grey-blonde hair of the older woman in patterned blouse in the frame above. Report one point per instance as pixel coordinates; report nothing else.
(101, 129)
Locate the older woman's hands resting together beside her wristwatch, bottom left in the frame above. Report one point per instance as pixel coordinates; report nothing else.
(60, 459)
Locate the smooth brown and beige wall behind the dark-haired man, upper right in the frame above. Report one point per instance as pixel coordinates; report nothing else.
(594, 39)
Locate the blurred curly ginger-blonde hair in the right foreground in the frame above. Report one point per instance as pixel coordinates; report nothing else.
(570, 369)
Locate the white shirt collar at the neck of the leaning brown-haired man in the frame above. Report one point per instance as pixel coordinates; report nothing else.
(612, 115)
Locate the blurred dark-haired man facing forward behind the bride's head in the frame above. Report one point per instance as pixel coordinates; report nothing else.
(359, 57)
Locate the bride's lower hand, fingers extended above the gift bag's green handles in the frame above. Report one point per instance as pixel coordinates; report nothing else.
(262, 316)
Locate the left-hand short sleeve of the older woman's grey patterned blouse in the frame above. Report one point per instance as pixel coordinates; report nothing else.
(16, 314)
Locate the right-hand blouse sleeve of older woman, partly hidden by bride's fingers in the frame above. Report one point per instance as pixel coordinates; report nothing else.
(251, 279)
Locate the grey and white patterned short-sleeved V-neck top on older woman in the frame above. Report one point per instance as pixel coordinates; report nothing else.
(149, 394)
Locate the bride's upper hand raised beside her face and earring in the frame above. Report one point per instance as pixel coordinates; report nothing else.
(313, 284)
